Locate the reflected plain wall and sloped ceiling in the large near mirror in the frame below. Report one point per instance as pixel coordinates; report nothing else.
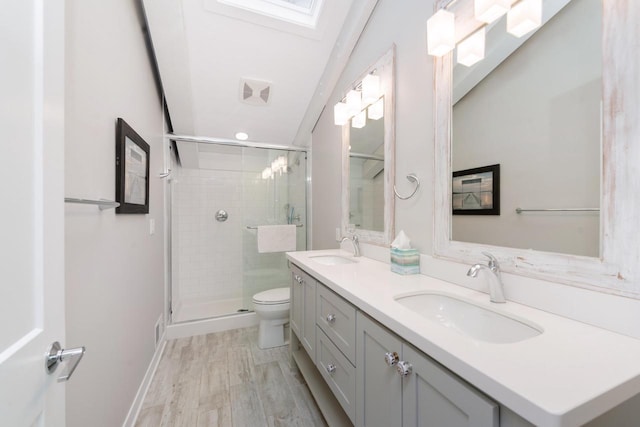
(536, 111)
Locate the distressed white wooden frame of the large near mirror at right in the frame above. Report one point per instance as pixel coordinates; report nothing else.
(617, 270)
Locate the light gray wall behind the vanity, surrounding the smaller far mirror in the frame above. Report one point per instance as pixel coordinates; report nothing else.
(404, 26)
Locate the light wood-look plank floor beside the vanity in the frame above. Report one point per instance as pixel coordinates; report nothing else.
(224, 379)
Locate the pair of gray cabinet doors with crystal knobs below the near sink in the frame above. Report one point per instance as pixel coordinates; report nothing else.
(427, 395)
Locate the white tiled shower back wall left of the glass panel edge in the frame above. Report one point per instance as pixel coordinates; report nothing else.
(207, 253)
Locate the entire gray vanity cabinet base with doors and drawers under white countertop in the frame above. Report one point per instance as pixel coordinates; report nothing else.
(353, 370)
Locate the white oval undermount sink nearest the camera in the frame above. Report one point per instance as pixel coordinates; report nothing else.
(468, 318)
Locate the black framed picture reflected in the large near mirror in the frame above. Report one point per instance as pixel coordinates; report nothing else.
(476, 191)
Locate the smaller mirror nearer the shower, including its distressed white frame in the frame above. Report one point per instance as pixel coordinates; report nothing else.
(368, 161)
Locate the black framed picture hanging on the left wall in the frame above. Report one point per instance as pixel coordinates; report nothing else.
(132, 170)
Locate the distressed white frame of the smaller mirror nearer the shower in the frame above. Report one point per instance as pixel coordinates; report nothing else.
(385, 66)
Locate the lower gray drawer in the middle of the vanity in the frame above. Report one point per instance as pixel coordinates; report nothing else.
(338, 372)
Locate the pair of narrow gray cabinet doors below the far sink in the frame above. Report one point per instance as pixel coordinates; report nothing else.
(303, 309)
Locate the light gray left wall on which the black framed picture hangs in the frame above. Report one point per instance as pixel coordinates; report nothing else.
(114, 267)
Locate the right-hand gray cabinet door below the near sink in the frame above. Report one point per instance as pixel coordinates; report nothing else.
(434, 397)
